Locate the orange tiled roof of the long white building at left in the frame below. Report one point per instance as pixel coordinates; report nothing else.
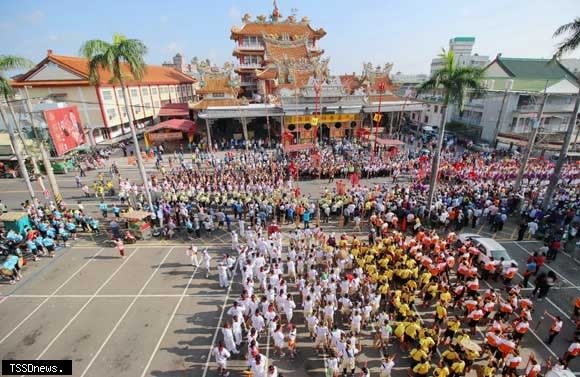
(153, 74)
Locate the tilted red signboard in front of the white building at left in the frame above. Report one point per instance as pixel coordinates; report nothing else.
(64, 125)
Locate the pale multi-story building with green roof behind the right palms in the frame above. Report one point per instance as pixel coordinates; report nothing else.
(525, 81)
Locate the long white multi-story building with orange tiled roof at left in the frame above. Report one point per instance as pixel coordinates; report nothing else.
(101, 105)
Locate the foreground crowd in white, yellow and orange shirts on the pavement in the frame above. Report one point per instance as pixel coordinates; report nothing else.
(346, 289)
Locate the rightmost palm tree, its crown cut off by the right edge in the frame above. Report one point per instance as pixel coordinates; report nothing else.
(570, 43)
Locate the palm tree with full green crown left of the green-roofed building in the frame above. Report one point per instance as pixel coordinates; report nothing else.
(455, 81)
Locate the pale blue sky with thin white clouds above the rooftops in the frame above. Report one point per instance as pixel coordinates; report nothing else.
(406, 33)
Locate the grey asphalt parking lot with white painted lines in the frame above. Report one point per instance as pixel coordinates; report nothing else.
(153, 314)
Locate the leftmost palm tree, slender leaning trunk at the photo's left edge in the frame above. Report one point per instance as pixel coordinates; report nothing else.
(8, 63)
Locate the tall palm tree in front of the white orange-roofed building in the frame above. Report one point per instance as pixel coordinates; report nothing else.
(114, 57)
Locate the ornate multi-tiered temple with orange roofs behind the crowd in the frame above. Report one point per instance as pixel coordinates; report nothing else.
(282, 88)
